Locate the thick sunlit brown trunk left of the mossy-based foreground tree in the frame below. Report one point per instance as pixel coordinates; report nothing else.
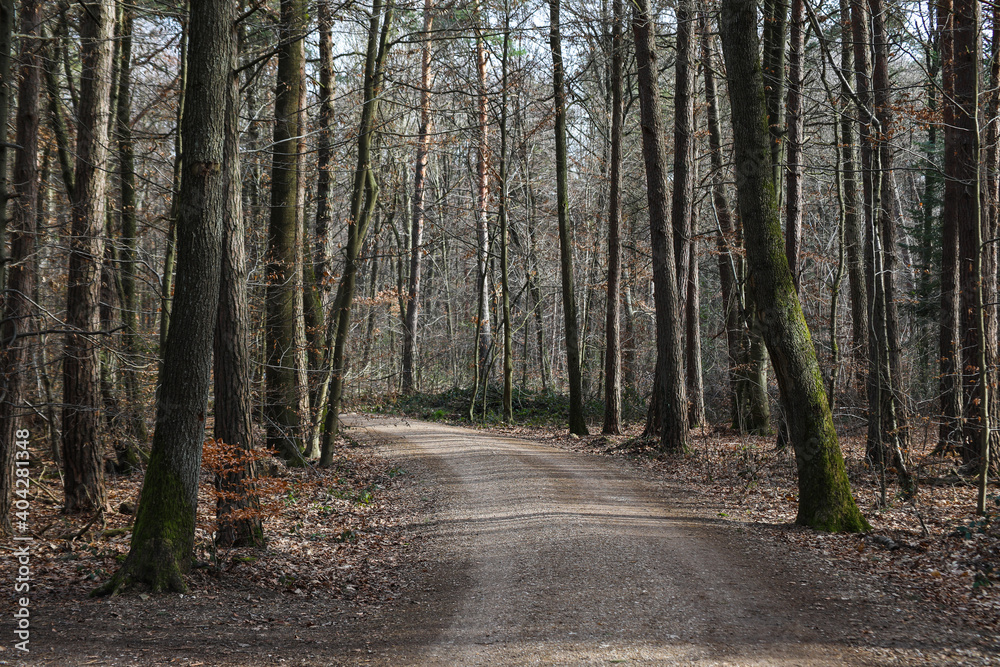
(84, 476)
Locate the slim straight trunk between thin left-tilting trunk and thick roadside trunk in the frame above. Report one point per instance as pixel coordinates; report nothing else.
(612, 328)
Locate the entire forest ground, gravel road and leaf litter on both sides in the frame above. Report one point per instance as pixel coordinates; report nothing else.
(430, 544)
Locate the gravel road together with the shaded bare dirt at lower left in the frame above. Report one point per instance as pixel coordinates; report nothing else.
(519, 553)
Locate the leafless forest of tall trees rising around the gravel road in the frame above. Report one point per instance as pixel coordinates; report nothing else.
(228, 224)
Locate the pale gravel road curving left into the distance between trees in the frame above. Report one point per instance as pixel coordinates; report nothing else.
(538, 555)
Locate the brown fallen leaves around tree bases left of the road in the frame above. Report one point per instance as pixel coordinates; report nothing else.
(335, 533)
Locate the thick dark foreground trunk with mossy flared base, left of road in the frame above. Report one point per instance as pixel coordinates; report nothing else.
(163, 534)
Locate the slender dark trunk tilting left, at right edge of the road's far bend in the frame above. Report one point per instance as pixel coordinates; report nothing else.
(577, 423)
